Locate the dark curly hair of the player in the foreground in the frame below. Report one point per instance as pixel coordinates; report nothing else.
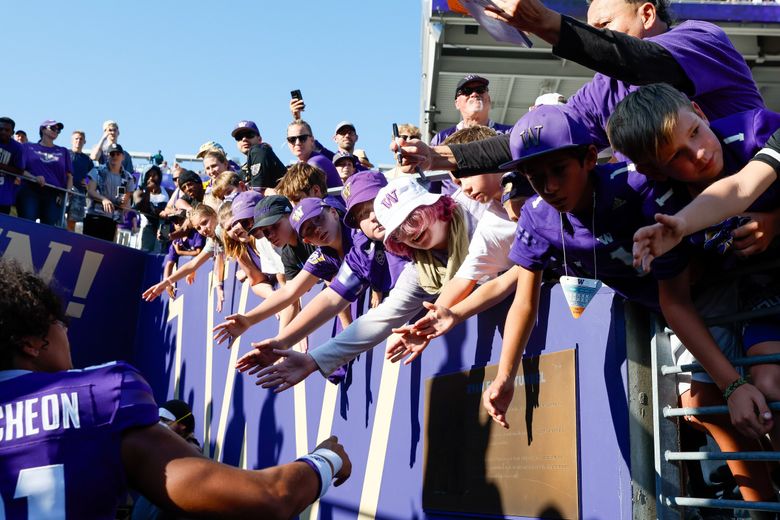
(27, 307)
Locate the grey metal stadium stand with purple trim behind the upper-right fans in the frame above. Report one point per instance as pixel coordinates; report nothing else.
(454, 45)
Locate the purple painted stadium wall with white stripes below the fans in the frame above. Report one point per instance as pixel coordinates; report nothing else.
(116, 324)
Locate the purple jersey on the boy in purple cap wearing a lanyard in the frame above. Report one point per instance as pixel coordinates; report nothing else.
(623, 203)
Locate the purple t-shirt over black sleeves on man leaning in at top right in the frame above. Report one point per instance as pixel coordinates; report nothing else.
(721, 79)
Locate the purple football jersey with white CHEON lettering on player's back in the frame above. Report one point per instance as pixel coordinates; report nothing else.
(60, 439)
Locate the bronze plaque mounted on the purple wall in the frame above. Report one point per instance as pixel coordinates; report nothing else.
(473, 465)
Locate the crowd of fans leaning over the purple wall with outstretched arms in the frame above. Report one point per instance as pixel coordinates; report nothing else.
(688, 194)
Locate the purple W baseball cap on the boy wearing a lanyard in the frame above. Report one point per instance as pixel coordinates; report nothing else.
(545, 129)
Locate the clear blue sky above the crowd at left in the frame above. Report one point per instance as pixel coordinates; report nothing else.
(175, 74)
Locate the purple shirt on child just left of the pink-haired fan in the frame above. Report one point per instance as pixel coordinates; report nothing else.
(367, 264)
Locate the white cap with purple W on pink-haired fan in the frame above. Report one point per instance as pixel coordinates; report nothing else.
(398, 199)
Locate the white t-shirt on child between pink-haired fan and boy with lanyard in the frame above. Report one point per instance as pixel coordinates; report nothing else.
(489, 247)
